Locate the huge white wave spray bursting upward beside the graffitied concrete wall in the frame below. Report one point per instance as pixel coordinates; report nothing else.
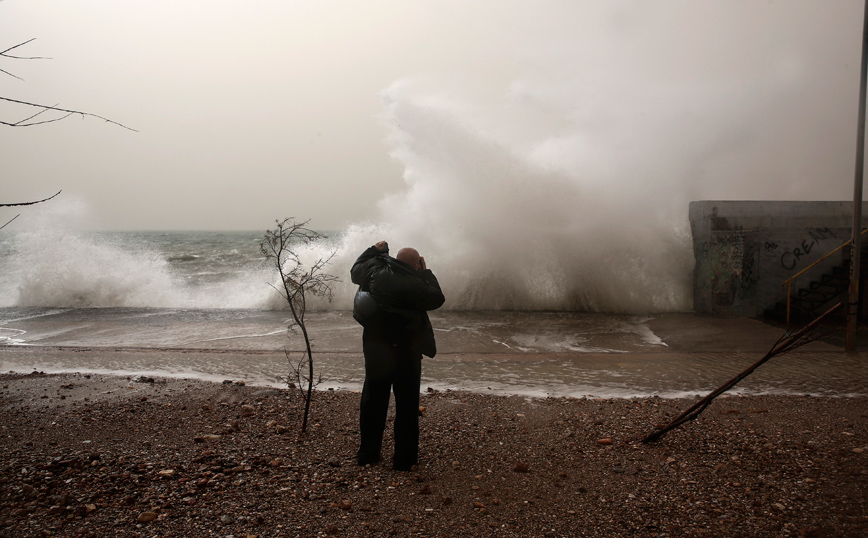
(502, 231)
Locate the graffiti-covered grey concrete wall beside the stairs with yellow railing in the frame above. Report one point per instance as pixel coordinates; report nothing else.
(745, 250)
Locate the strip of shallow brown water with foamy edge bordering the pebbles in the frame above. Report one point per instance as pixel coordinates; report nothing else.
(695, 361)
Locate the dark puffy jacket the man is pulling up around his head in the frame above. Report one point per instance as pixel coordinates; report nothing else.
(403, 295)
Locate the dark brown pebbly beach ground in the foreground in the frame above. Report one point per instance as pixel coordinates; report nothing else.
(88, 455)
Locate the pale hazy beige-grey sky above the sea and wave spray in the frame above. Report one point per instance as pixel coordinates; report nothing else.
(251, 111)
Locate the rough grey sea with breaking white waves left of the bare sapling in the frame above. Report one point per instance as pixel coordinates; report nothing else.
(61, 268)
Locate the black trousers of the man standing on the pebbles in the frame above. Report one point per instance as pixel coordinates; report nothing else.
(390, 365)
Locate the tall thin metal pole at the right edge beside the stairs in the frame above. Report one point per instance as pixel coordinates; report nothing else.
(856, 246)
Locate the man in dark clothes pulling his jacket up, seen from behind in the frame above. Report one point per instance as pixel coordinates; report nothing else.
(394, 340)
